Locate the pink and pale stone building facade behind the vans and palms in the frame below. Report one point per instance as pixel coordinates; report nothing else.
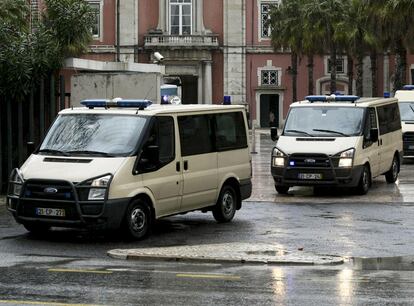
(217, 48)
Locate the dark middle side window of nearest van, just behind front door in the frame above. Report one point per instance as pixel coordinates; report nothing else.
(195, 135)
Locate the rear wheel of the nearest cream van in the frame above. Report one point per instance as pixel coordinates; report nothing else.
(226, 205)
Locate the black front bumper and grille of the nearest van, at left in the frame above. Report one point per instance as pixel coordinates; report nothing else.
(79, 213)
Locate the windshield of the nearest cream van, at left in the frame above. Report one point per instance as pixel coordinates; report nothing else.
(93, 135)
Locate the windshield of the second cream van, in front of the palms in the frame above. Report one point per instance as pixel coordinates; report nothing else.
(324, 121)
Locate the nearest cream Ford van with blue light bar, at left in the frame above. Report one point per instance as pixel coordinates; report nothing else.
(123, 164)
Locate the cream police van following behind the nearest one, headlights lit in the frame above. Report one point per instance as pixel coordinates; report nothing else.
(338, 141)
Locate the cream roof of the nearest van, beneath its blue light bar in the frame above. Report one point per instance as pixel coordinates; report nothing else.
(155, 109)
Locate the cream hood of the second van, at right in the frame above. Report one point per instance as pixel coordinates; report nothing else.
(324, 145)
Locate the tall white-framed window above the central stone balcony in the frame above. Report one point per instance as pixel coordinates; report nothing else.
(180, 17)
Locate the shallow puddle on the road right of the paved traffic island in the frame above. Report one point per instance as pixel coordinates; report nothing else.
(399, 263)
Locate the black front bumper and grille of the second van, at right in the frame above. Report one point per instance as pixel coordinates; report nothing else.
(325, 172)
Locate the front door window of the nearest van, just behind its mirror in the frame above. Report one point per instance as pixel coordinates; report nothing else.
(166, 139)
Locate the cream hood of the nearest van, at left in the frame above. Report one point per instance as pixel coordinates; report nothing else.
(69, 168)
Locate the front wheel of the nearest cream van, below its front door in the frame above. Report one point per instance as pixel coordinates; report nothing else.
(137, 220)
